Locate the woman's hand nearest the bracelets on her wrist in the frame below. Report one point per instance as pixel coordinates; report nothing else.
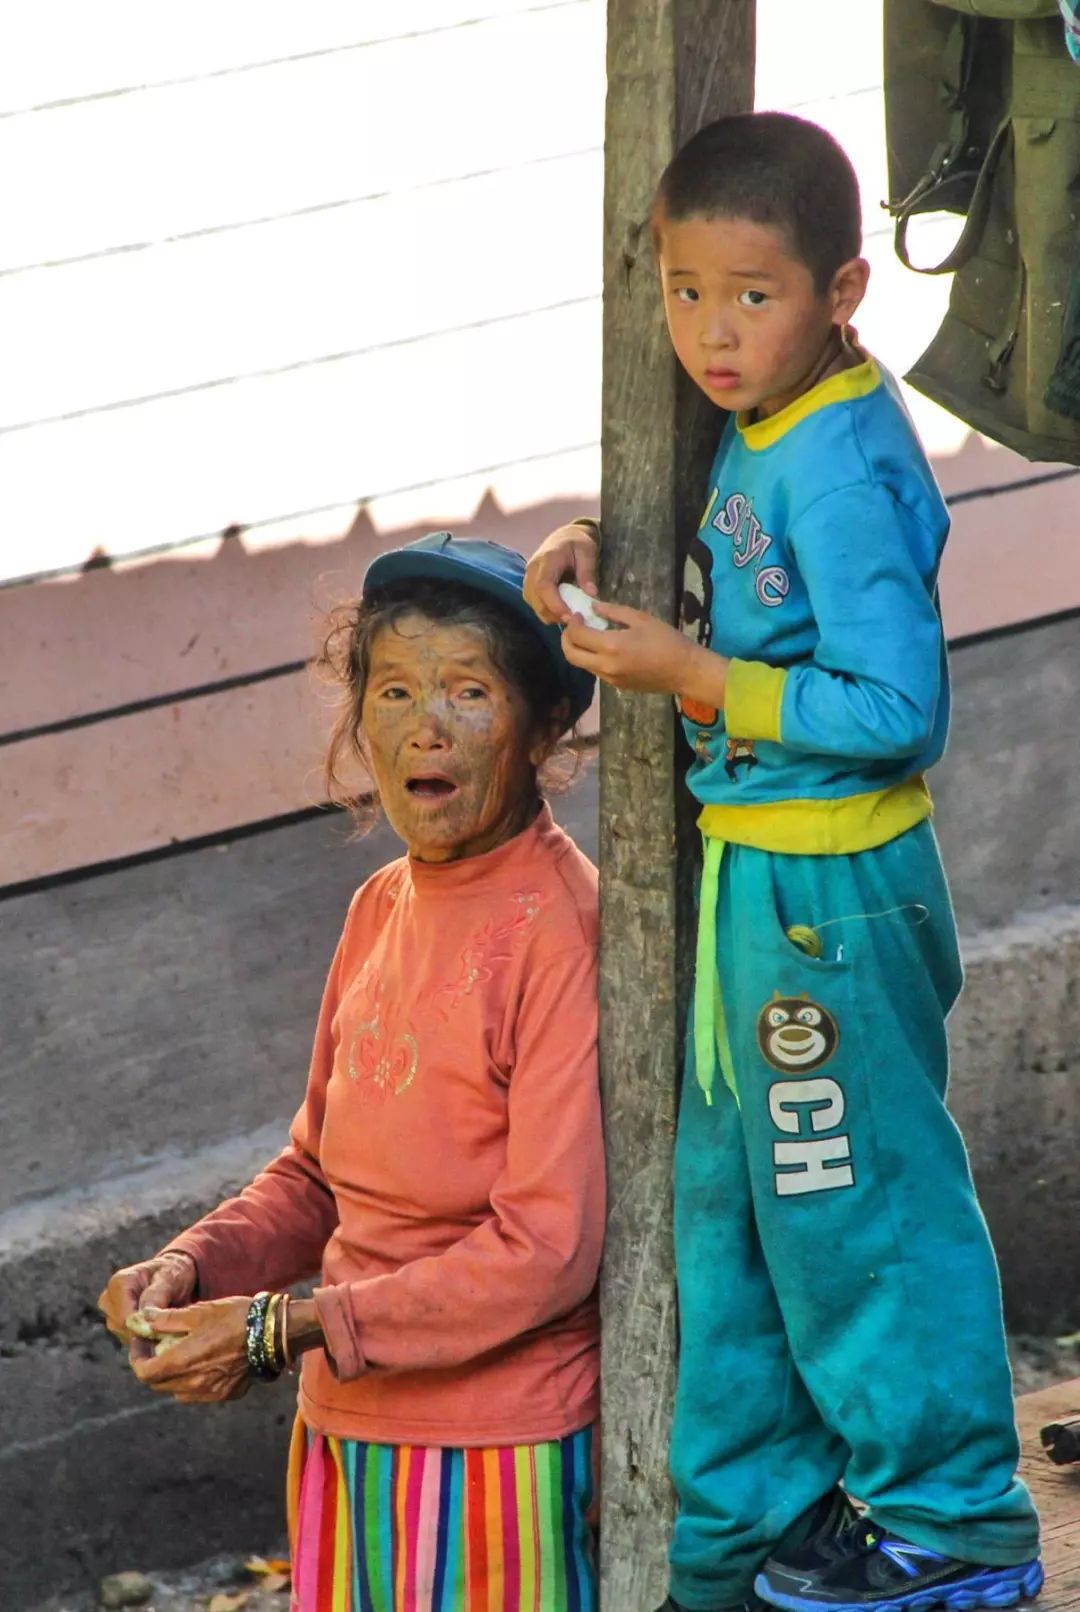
(209, 1363)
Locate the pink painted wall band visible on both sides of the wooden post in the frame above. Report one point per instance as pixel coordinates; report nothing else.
(199, 767)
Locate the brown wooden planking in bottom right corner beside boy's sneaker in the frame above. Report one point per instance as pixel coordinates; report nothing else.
(1057, 1492)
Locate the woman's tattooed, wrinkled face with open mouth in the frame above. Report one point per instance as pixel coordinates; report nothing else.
(452, 746)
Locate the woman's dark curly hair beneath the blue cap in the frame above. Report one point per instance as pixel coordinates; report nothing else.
(346, 663)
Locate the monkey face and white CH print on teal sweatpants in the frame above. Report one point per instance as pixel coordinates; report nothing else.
(795, 1037)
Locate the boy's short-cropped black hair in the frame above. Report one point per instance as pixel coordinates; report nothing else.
(775, 170)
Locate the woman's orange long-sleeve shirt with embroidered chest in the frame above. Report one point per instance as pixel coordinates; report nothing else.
(446, 1171)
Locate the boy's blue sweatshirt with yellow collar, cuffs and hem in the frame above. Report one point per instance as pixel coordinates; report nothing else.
(816, 570)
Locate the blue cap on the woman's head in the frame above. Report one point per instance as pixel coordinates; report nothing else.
(488, 568)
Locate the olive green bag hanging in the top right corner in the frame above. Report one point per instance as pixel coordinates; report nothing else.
(982, 107)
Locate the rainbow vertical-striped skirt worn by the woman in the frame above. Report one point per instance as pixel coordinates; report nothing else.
(413, 1529)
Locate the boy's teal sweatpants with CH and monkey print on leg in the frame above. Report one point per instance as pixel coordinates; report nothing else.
(841, 1311)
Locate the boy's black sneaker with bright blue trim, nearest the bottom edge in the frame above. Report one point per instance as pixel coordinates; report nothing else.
(879, 1571)
